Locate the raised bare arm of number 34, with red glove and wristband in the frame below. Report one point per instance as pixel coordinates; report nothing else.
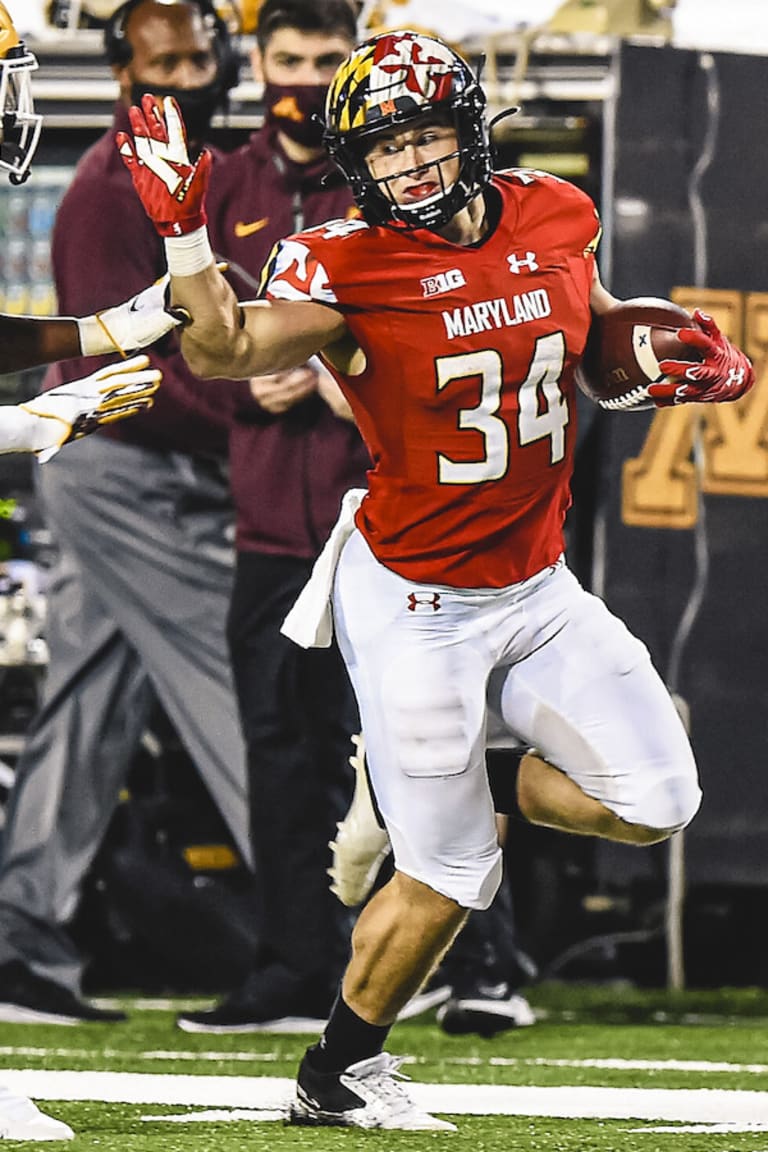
(222, 337)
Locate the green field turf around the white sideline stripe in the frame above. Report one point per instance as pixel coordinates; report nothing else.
(577, 1027)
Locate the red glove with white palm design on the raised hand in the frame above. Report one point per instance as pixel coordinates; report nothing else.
(170, 186)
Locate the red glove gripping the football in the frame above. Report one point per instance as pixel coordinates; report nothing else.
(725, 373)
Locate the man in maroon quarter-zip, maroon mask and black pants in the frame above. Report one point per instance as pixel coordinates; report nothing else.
(294, 452)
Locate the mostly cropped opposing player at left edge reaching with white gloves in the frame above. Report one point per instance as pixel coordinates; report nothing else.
(42, 426)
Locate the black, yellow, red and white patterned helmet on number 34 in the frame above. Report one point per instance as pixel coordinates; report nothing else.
(391, 81)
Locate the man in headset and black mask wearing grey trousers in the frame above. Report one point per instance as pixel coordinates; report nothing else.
(143, 519)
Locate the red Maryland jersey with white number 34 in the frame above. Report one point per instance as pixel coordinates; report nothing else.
(467, 401)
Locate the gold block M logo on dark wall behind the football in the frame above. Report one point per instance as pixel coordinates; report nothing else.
(661, 487)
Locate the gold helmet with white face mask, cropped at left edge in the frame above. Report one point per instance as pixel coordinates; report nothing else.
(21, 125)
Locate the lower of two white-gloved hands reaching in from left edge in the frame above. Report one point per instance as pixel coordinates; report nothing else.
(72, 411)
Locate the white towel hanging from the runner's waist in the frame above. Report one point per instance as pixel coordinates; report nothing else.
(310, 622)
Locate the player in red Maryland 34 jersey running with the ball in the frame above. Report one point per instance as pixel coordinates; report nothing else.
(453, 317)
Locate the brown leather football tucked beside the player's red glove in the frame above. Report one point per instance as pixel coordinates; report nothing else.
(623, 351)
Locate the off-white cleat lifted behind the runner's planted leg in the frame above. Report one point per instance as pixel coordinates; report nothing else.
(362, 845)
